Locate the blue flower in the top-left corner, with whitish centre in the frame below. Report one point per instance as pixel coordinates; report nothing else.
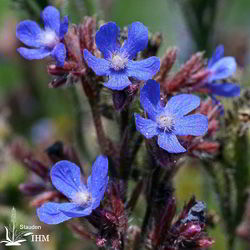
(45, 42)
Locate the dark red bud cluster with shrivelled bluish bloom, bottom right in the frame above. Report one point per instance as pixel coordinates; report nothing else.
(186, 232)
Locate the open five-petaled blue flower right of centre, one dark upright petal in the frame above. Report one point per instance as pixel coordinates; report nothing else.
(169, 121)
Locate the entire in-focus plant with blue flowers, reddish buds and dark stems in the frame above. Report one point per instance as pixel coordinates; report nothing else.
(173, 120)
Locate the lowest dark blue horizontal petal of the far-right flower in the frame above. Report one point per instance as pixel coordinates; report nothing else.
(224, 89)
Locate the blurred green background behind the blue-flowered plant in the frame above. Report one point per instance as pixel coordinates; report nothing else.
(41, 115)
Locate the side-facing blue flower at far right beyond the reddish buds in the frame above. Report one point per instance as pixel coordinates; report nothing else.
(221, 68)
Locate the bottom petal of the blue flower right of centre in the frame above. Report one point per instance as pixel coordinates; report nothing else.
(170, 143)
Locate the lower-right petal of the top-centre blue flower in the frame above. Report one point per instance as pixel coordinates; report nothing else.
(145, 69)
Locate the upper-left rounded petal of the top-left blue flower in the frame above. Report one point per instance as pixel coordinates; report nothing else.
(29, 33)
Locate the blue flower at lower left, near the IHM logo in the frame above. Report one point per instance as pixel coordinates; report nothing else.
(66, 177)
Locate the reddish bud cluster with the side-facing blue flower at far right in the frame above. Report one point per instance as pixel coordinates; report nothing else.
(198, 76)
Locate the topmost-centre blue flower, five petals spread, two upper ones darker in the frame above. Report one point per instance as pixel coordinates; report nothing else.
(118, 61)
